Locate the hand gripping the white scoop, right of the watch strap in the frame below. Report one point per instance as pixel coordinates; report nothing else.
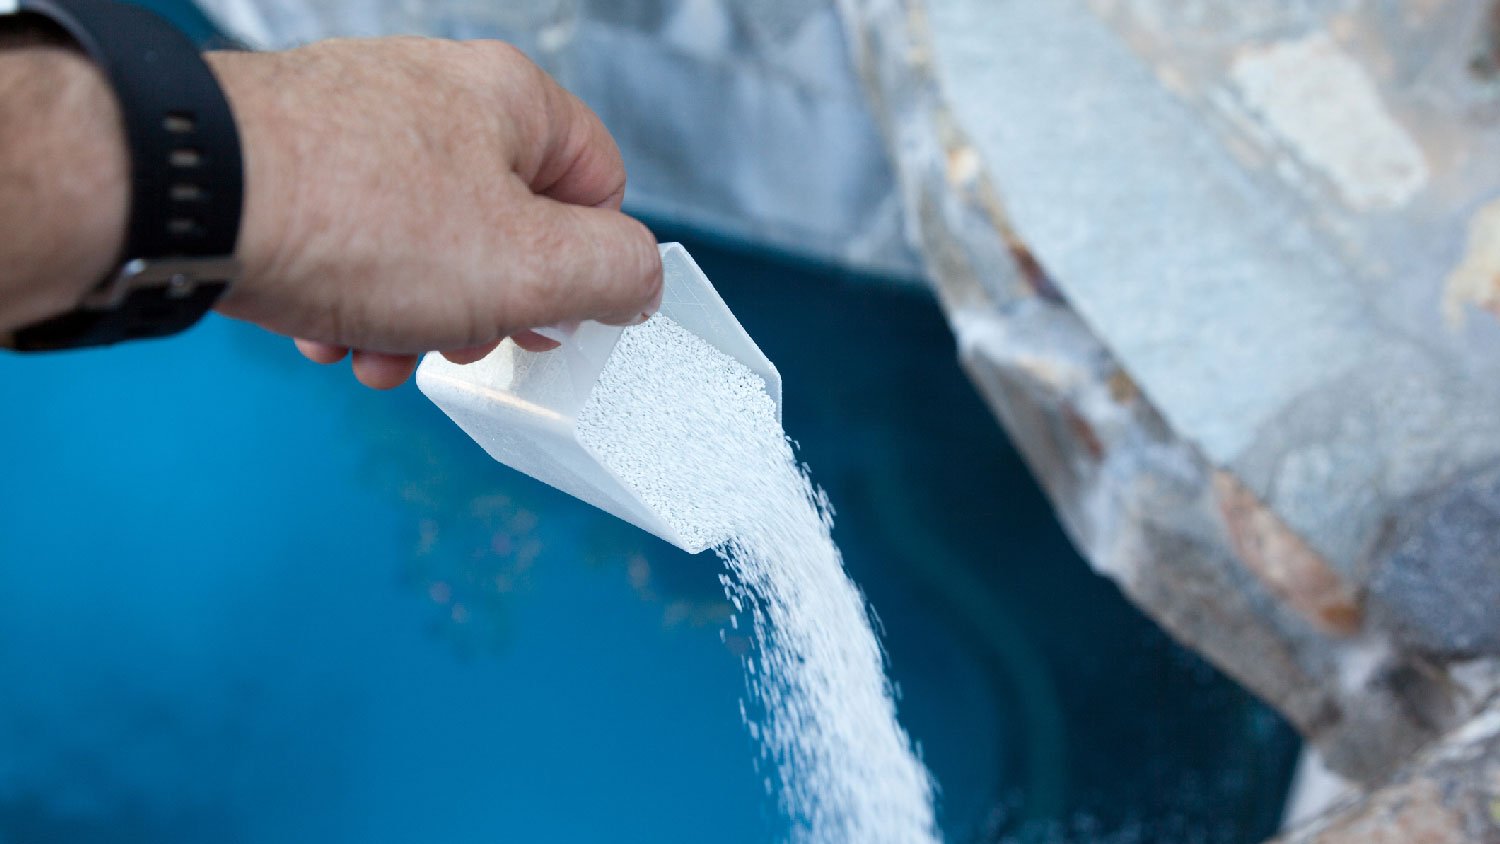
(407, 196)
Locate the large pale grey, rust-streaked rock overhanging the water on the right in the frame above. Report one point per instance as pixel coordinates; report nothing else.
(1228, 362)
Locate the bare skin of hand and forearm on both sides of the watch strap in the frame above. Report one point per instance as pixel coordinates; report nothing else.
(403, 196)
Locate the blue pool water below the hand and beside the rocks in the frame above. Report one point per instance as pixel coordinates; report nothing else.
(244, 600)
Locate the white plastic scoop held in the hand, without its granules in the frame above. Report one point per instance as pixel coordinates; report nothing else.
(523, 407)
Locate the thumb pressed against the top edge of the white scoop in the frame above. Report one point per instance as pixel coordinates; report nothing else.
(586, 263)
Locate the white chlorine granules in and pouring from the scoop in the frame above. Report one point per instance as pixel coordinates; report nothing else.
(697, 437)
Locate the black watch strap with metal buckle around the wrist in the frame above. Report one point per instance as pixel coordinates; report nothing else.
(187, 181)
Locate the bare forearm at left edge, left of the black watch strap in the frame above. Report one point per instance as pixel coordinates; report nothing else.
(64, 175)
